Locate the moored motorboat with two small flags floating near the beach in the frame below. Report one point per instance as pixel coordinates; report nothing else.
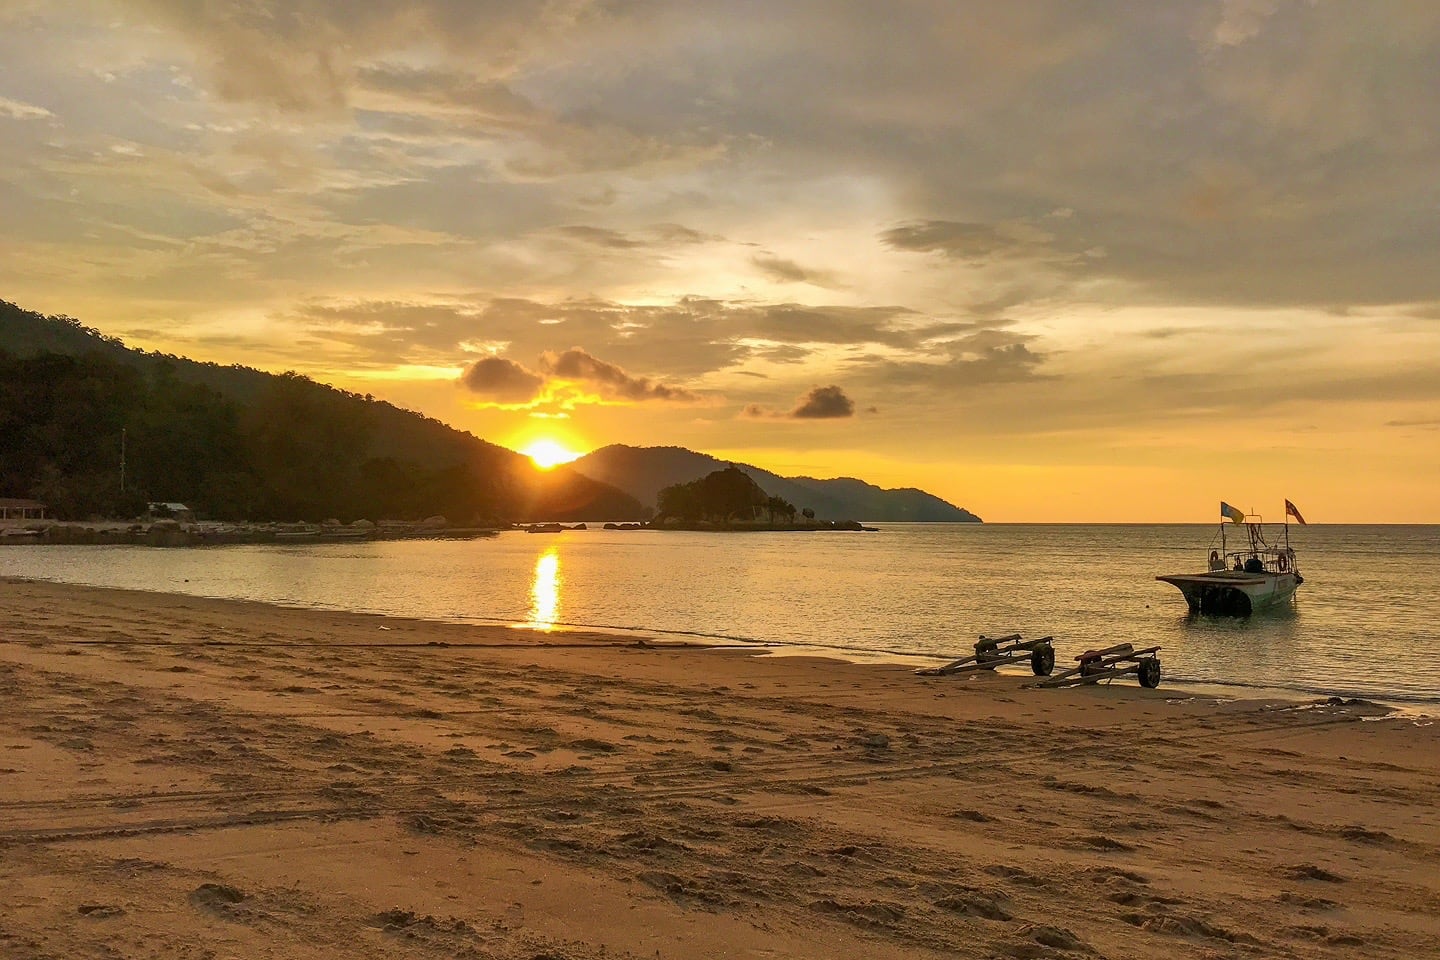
(1248, 578)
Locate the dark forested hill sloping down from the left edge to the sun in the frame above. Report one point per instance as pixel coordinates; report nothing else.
(240, 444)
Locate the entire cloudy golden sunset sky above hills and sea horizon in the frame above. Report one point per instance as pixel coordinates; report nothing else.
(1049, 260)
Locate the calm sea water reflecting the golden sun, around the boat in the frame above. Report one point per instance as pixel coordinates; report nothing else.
(1364, 624)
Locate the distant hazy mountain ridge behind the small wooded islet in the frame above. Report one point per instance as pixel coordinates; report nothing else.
(644, 471)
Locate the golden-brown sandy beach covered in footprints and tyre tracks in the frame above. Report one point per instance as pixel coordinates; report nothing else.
(186, 778)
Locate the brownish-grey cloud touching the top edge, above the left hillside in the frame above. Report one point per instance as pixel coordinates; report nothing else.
(341, 60)
